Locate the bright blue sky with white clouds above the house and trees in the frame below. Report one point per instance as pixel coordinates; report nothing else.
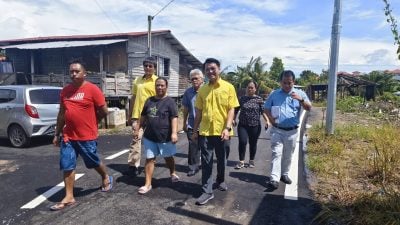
(296, 31)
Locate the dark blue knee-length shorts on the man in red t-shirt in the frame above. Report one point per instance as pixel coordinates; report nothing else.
(72, 149)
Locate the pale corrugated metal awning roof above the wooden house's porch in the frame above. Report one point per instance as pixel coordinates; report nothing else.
(62, 44)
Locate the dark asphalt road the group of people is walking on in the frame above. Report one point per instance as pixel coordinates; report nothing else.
(27, 173)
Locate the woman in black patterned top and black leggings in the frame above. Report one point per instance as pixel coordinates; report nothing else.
(249, 127)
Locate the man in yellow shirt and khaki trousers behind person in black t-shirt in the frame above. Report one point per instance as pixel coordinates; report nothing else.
(143, 87)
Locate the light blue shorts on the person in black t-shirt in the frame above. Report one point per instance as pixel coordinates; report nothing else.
(154, 149)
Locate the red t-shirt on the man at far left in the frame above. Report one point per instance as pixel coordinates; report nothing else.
(80, 111)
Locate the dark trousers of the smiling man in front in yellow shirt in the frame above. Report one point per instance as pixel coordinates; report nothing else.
(207, 145)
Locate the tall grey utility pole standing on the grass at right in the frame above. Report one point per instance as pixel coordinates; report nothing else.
(333, 64)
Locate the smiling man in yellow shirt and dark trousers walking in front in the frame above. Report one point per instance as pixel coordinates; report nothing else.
(215, 109)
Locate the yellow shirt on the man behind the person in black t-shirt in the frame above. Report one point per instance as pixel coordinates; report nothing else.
(142, 88)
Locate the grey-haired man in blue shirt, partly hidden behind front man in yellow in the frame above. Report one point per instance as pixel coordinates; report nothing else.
(188, 101)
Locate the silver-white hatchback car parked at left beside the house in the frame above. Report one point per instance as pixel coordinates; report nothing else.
(28, 111)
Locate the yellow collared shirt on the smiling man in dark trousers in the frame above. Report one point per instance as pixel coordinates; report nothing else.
(215, 100)
